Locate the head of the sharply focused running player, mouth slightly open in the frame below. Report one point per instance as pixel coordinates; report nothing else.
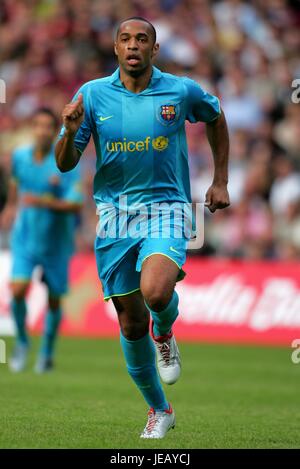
(134, 47)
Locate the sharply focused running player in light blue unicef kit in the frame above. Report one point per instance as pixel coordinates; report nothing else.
(137, 117)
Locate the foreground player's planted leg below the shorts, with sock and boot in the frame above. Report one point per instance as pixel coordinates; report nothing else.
(139, 355)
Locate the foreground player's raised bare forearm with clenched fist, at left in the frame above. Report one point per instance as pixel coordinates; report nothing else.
(67, 156)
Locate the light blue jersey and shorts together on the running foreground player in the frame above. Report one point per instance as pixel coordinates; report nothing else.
(142, 157)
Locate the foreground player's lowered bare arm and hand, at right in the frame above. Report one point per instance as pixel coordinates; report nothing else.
(217, 196)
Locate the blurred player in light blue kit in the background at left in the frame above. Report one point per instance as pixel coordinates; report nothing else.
(43, 233)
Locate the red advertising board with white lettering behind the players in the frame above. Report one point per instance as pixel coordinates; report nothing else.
(220, 301)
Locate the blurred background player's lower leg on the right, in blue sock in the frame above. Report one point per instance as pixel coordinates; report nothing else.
(52, 321)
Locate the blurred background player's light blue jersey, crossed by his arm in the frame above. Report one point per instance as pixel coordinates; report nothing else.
(41, 231)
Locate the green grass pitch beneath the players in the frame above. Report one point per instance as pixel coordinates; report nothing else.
(227, 397)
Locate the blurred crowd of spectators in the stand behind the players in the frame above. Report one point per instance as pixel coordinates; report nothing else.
(245, 52)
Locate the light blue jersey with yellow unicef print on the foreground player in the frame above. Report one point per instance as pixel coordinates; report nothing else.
(140, 139)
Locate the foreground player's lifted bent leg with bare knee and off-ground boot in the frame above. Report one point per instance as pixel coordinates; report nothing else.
(159, 274)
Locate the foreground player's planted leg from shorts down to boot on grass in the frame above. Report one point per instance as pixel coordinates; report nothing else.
(116, 263)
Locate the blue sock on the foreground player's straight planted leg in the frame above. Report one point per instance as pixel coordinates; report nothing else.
(140, 360)
